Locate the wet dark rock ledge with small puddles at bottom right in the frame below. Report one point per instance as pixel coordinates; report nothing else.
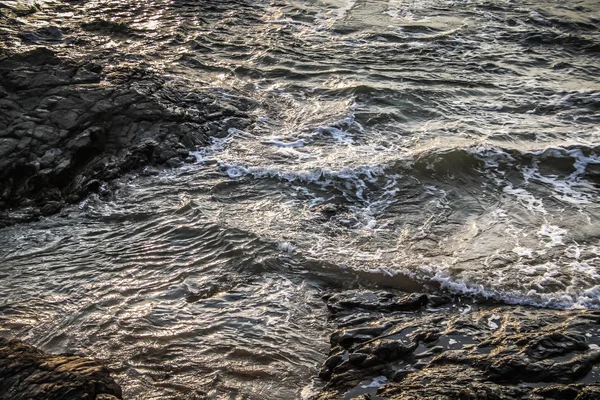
(400, 346)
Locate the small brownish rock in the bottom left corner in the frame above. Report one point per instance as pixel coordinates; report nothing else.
(28, 373)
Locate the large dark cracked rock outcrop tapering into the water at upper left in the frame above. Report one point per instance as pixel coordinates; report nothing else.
(69, 126)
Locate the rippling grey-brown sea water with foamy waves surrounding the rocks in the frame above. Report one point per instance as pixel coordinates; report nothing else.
(443, 145)
